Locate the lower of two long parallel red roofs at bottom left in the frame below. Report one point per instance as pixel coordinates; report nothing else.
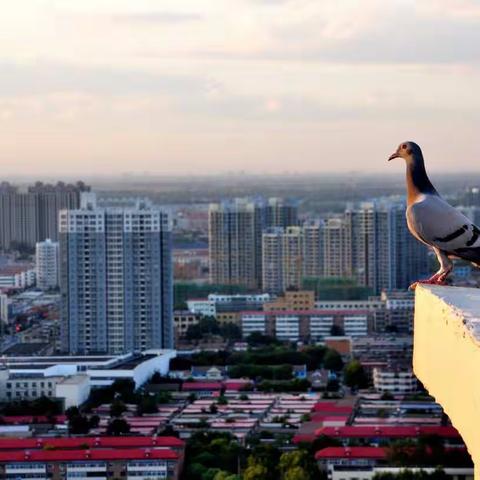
(72, 455)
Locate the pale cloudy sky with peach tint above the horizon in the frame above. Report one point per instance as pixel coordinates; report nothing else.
(197, 87)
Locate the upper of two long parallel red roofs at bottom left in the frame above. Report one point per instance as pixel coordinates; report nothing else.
(91, 442)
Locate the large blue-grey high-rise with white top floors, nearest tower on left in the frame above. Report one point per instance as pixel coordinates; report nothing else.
(116, 278)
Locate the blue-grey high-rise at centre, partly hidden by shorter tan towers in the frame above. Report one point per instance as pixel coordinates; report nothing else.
(235, 238)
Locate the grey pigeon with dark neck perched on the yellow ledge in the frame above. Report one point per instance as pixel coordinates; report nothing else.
(433, 221)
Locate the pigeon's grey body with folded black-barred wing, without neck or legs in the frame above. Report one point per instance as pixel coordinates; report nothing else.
(438, 224)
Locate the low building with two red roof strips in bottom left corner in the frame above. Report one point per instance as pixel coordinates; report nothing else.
(65, 458)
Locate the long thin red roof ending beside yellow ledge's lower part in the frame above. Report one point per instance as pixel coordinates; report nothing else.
(390, 431)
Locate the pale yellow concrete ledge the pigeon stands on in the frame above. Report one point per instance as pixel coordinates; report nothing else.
(446, 356)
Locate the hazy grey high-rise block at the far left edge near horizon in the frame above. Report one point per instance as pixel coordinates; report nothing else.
(31, 216)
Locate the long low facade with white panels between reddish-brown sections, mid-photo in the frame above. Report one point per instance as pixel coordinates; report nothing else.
(307, 325)
